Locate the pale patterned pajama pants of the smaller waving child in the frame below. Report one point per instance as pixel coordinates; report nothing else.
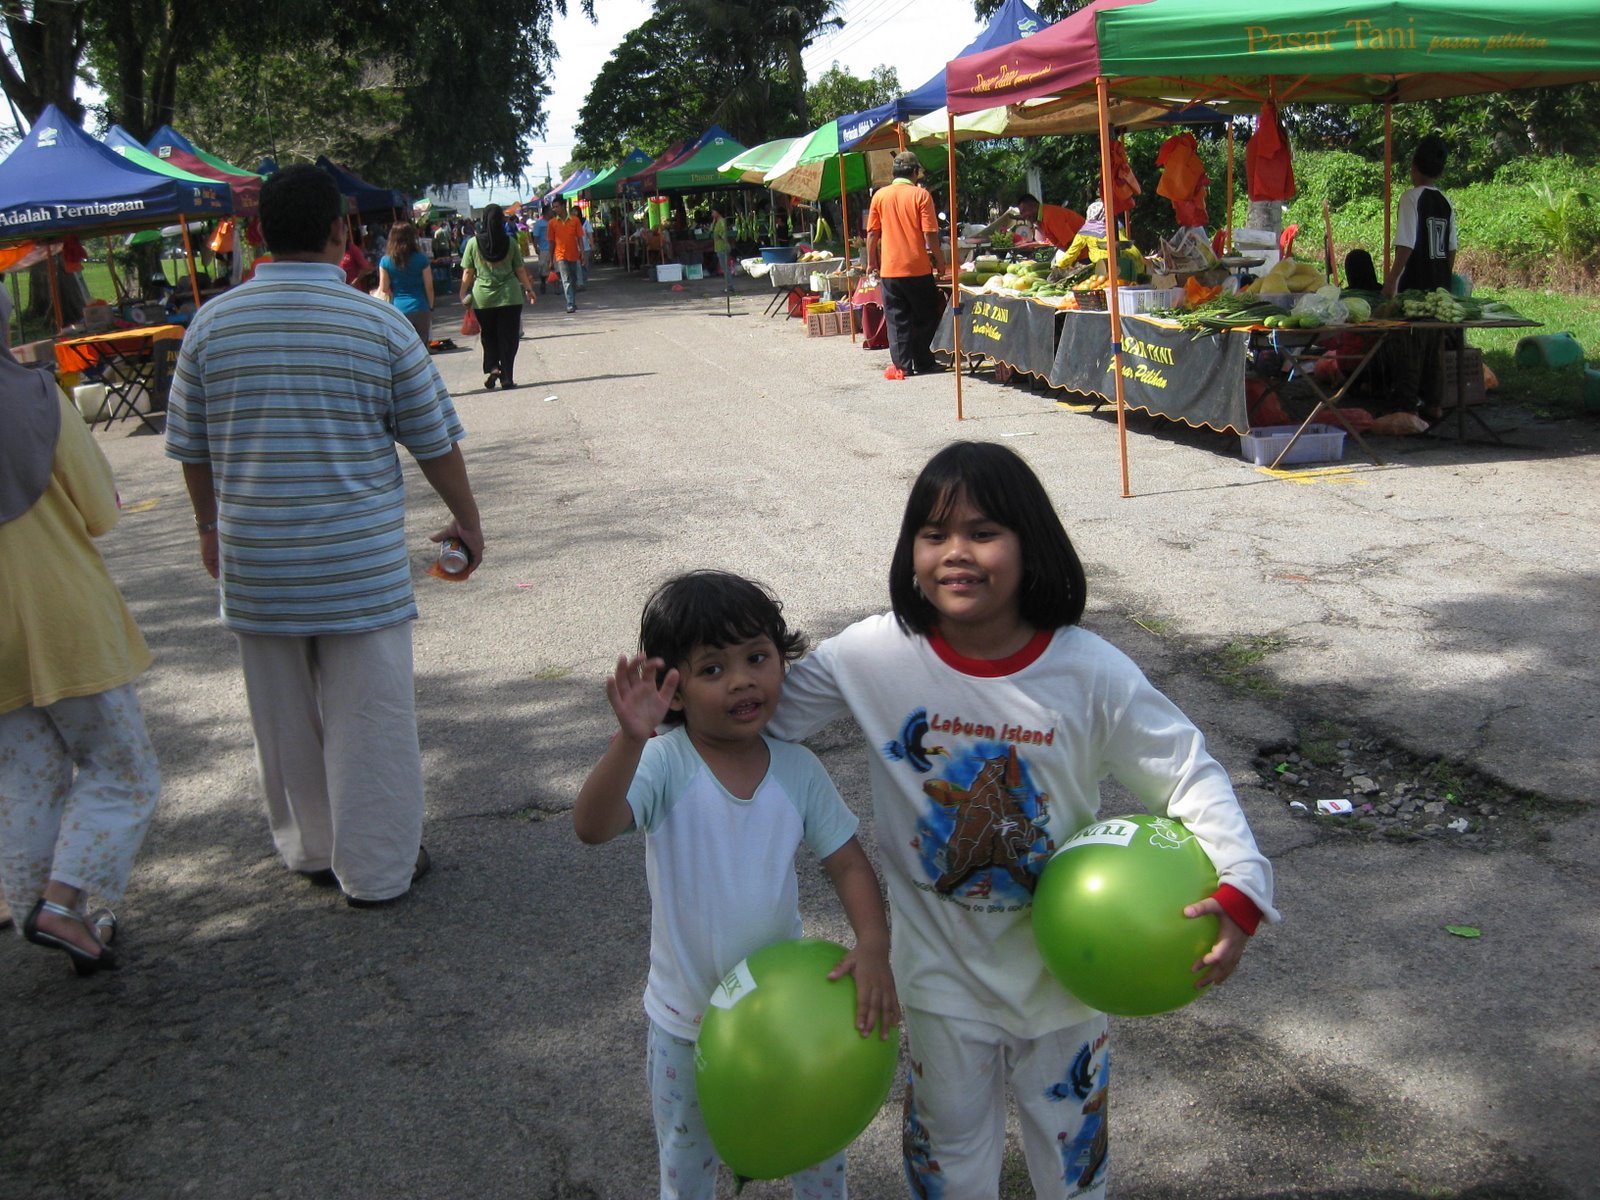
(689, 1164)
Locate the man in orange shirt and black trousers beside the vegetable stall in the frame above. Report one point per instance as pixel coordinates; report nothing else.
(903, 249)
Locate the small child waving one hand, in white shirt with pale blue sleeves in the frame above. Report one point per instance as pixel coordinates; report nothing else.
(724, 809)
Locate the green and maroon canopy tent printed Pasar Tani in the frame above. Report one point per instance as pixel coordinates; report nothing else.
(1321, 52)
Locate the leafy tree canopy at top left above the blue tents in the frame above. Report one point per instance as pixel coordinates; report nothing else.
(441, 92)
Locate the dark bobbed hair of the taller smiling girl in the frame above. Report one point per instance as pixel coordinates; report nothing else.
(1004, 489)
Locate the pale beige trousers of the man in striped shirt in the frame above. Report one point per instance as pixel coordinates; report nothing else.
(335, 722)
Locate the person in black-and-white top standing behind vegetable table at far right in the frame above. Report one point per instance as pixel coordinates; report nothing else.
(1425, 260)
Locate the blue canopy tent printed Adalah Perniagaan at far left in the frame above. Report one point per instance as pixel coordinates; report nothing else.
(60, 182)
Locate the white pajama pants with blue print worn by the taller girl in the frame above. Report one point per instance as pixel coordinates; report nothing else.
(956, 1108)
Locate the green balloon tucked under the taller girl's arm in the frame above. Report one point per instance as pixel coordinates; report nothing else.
(1110, 914)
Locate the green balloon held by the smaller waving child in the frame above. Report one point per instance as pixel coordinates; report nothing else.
(785, 1079)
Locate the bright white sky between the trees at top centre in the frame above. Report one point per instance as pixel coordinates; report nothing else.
(916, 38)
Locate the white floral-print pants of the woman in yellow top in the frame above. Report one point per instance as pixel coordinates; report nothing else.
(78, 791)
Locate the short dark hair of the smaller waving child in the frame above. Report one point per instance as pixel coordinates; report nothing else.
(711, 609)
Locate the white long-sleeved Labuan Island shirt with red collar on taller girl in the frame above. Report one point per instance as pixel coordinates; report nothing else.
(980, 772)
